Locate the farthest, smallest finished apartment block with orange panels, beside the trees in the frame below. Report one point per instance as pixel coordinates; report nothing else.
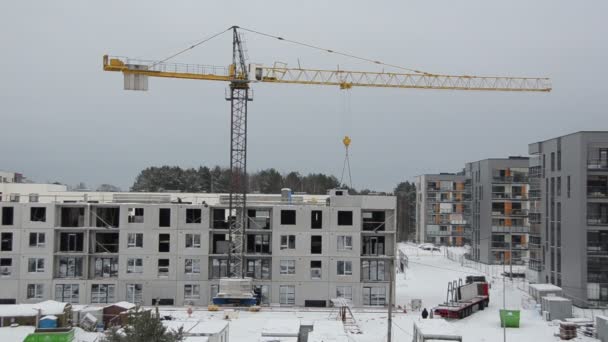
(440, 209)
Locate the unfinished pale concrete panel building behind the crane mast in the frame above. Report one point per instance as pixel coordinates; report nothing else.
(172, 248)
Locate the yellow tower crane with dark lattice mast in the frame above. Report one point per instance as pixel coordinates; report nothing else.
(240, 76)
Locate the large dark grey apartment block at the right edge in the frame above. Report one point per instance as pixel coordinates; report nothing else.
(574, 215)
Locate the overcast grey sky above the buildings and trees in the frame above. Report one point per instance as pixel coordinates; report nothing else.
(64, 119)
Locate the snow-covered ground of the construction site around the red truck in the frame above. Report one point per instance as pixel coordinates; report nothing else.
(426, 279)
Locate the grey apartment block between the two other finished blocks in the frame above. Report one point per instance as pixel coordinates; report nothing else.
(499, 210)
